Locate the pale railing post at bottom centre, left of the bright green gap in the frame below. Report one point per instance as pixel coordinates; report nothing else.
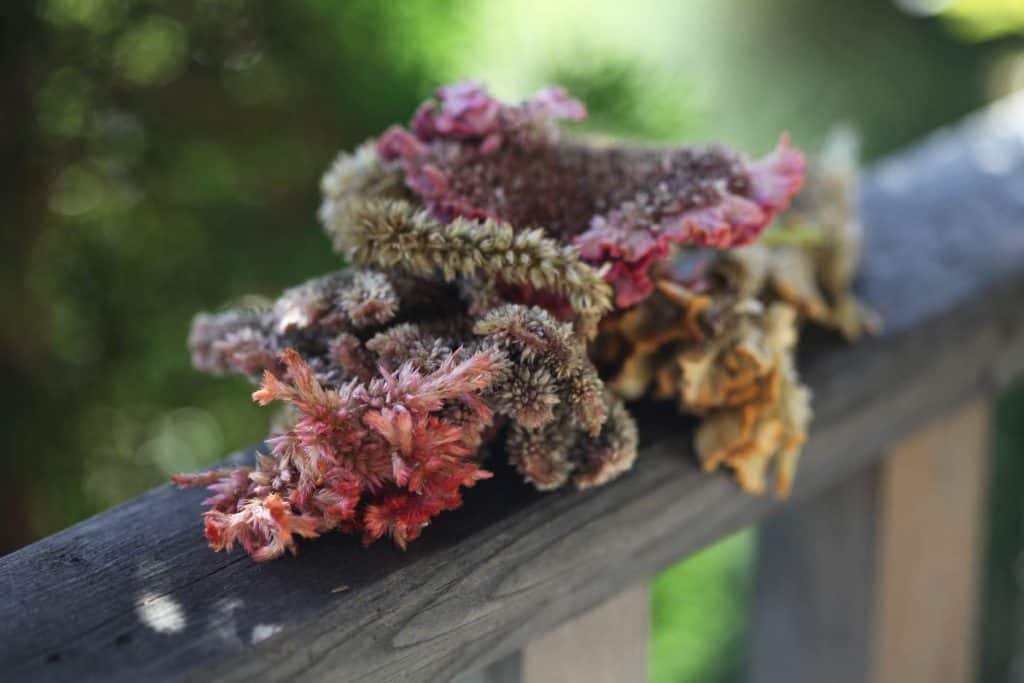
(608, 645)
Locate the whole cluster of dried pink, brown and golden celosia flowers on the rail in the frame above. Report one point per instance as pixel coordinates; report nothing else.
(499, 271)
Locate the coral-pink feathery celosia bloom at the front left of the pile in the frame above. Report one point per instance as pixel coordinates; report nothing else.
(383, 457)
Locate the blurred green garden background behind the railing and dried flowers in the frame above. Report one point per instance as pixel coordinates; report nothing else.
(163, 158)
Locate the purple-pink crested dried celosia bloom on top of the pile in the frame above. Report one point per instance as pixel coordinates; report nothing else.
(473, 157)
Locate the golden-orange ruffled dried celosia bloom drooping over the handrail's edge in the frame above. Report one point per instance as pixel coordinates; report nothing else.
(728, 360)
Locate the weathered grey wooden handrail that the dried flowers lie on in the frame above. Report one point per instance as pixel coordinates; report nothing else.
(135, 593)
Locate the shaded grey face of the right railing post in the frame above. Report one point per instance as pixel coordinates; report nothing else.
(815, 588)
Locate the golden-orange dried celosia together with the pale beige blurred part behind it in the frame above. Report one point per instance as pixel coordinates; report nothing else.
(716, 336)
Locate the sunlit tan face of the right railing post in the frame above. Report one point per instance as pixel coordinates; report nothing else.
(932, 506)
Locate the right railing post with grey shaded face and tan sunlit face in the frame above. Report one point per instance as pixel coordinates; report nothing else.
(878, 580)
